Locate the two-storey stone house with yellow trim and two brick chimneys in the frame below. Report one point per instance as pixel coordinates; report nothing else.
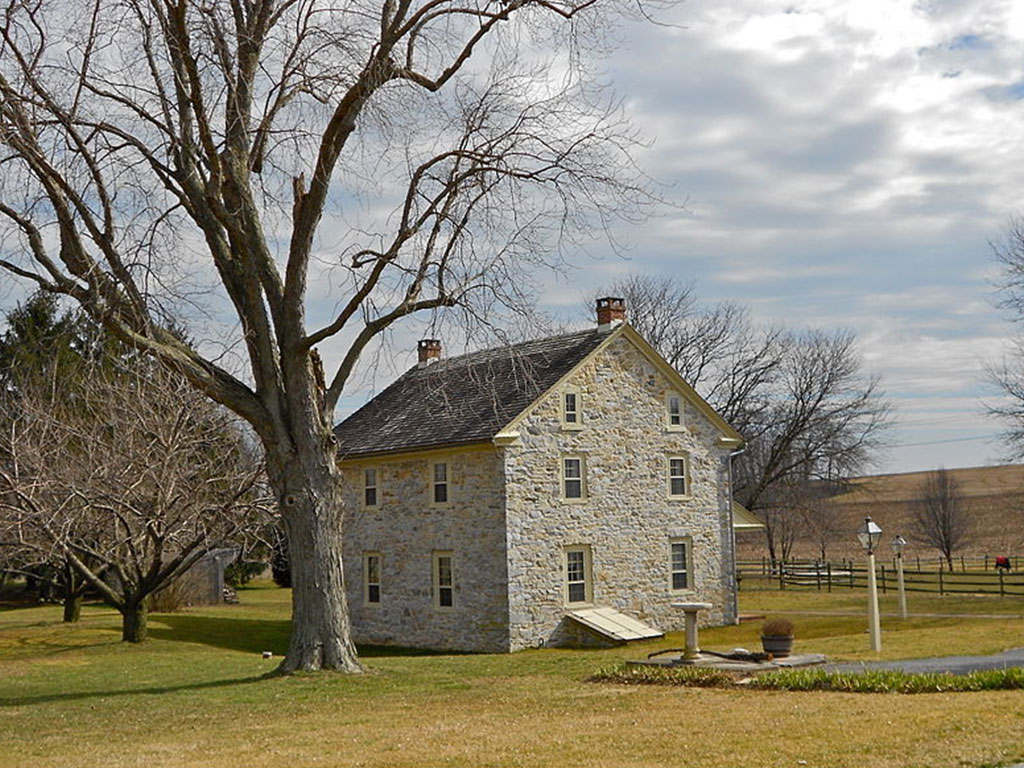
(495, 496)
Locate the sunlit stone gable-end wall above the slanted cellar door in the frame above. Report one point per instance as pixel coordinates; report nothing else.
(627, 519)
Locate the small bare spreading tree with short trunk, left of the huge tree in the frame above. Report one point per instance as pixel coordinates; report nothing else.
(127, 479)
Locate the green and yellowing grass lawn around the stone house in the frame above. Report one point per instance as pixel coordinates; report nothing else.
(195, 696)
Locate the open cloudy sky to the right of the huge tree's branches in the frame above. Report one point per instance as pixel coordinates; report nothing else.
(846, 165)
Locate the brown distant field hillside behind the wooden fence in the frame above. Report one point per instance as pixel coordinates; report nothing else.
(995, 500)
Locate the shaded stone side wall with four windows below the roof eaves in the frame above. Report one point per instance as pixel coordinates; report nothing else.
(406, 529)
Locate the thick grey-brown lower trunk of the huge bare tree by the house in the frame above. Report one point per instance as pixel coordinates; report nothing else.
(312, 509)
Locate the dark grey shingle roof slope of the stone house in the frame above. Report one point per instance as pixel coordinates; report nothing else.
(462, 400)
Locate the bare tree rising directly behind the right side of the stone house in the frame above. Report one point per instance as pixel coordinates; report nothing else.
(810, 416)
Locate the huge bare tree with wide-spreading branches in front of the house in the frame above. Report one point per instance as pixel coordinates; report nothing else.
(415, 155)
